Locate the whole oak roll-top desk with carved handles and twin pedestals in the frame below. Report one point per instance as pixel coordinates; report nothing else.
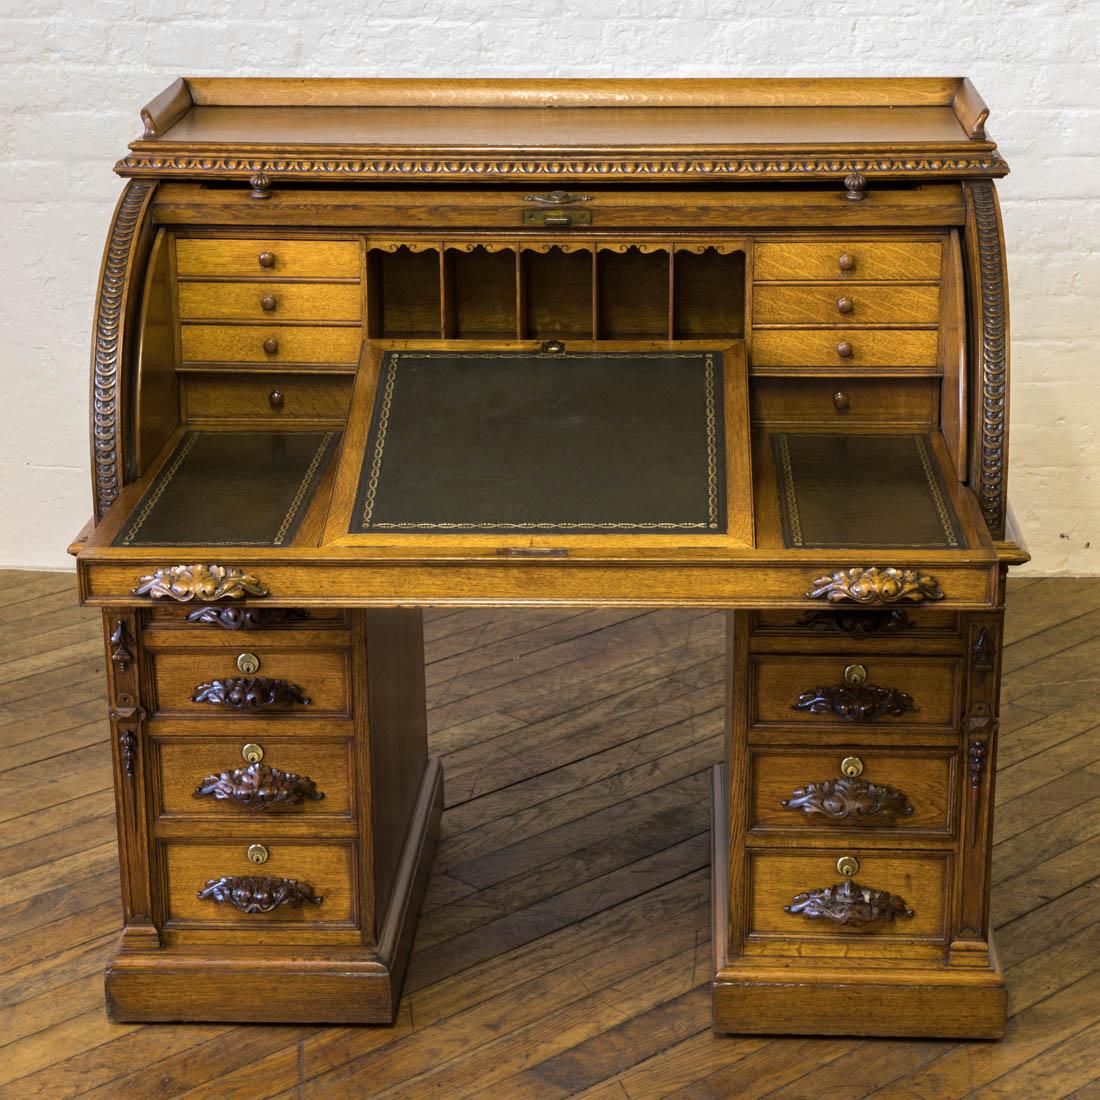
(368, 346)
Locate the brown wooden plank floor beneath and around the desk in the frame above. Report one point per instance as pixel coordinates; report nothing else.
(565, 945)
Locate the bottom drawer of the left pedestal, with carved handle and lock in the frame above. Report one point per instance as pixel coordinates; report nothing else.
(281, 890)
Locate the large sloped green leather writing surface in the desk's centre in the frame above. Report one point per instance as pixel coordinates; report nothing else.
(571, 444)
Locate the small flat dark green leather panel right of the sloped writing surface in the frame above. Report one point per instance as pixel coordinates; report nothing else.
(855, 491)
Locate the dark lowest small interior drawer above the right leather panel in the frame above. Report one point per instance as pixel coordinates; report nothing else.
(841, 401)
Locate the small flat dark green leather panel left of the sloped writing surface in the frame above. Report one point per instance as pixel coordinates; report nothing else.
(233, 489)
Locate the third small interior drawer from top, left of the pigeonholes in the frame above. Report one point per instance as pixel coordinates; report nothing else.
(270, 344)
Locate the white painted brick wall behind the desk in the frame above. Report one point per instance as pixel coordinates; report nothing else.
(74, 74)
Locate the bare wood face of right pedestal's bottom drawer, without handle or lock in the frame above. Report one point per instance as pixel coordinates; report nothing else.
(776, 877)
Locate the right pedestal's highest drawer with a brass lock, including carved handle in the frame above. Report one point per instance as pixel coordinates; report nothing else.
(851, 691)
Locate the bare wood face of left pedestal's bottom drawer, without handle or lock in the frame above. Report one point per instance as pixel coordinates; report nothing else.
(328, 868)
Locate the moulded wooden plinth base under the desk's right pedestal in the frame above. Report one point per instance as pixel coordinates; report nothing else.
(797, 996)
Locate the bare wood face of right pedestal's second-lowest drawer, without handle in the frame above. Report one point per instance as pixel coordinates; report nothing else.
(925, 778)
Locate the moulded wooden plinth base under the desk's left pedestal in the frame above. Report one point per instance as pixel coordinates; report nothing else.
(148, 984)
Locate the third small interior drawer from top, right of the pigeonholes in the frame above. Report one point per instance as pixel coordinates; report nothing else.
(845, 349)
